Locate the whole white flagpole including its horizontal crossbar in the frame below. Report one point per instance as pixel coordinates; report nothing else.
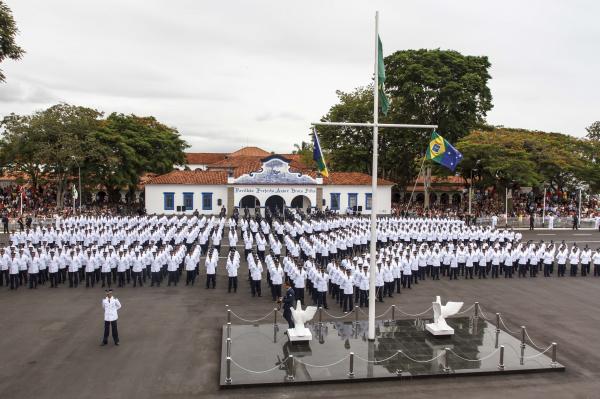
(375, 125)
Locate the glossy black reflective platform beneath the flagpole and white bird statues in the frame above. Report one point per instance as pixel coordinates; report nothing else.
(258, 353)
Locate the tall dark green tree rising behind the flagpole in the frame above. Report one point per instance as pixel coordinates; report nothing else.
(425, 87)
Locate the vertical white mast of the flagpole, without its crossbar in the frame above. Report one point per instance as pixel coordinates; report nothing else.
(373, 248)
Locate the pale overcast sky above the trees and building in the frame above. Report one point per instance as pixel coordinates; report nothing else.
(251, 72)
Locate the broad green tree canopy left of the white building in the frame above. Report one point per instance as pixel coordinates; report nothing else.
(112, 153)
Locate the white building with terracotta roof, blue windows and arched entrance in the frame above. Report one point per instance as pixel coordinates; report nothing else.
(253, 180)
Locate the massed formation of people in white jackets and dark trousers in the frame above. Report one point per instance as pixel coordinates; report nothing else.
(322, 256)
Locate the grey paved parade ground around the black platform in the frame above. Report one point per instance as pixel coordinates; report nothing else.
(171, 337)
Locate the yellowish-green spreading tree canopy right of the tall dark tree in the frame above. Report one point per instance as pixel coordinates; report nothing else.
(518, 157)
